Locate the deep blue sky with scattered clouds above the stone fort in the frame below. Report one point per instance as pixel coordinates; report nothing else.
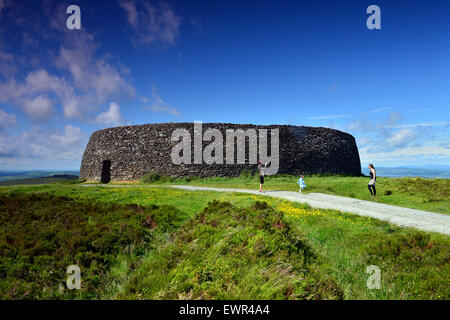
(309, 63)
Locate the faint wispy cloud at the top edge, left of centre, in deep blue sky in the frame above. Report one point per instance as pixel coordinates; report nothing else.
(152, 22)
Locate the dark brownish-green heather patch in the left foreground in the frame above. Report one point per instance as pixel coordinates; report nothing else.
(41, 235)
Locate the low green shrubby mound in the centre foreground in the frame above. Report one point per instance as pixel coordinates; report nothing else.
(227, 252)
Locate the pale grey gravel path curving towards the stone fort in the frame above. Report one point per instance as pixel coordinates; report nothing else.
(423, 220)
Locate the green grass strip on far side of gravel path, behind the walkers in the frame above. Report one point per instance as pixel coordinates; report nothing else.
(416, 193)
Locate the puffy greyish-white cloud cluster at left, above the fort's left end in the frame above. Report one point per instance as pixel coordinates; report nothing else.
(87, 83)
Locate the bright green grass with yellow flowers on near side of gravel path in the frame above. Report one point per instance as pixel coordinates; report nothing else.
(413, 264)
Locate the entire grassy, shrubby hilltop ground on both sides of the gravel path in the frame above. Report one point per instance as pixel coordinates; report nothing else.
(153, 242)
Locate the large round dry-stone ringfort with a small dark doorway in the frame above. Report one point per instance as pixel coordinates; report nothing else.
(130, 152)
